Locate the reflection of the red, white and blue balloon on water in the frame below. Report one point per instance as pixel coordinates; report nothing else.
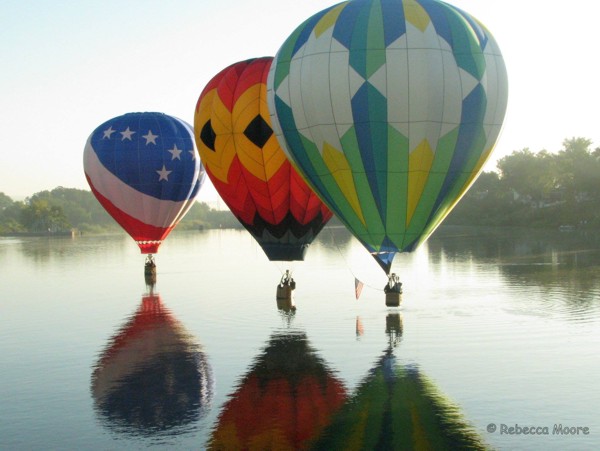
(152, 378)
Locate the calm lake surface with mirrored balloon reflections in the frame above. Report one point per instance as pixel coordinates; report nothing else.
(495, 344)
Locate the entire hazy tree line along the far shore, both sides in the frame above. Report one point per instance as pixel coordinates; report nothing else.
(541, 189)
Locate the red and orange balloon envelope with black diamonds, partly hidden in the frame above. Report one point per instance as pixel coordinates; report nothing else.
(248, 167)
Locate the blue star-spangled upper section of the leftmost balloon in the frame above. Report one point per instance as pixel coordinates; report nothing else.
(148, 152)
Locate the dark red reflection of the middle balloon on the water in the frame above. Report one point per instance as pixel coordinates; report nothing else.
(287, 398)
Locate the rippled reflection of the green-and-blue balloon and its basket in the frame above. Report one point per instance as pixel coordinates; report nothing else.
(397, 407)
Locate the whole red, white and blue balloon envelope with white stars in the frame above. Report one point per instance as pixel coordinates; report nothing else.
(144, 170)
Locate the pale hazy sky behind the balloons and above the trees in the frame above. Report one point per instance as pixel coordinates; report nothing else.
(69, 65)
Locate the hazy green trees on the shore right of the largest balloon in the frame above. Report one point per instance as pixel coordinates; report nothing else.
(540, 189)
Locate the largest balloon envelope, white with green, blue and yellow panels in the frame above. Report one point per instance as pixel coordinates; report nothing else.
(389, 109)
